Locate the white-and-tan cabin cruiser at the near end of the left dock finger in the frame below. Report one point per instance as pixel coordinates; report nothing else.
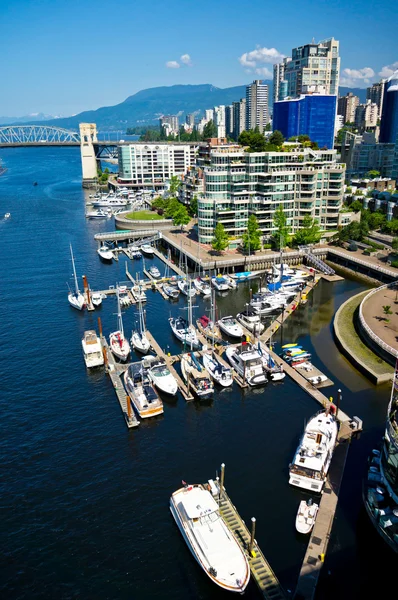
(145, 400)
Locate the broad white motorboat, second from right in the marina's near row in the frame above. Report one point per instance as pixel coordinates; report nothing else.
(248, 362)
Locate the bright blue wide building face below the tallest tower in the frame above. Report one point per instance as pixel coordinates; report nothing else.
(308, 115)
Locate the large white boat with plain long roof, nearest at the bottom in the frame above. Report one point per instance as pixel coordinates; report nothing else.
(212, 544)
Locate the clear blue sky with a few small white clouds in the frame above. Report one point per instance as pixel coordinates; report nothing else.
(61, 57)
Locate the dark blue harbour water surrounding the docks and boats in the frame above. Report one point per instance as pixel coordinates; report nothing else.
(85, 500)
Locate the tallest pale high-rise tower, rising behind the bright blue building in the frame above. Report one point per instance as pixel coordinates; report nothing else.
(314, 64)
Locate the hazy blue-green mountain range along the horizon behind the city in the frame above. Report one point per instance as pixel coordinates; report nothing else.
(145, 107)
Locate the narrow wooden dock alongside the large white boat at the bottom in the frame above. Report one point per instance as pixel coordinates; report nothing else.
(261, 571)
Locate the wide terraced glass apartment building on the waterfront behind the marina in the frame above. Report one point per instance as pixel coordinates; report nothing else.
(238, 184)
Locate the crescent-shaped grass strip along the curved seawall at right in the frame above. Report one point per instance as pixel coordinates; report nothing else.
(352, 340)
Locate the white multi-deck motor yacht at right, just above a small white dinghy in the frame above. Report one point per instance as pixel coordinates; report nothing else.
(314, 453)
